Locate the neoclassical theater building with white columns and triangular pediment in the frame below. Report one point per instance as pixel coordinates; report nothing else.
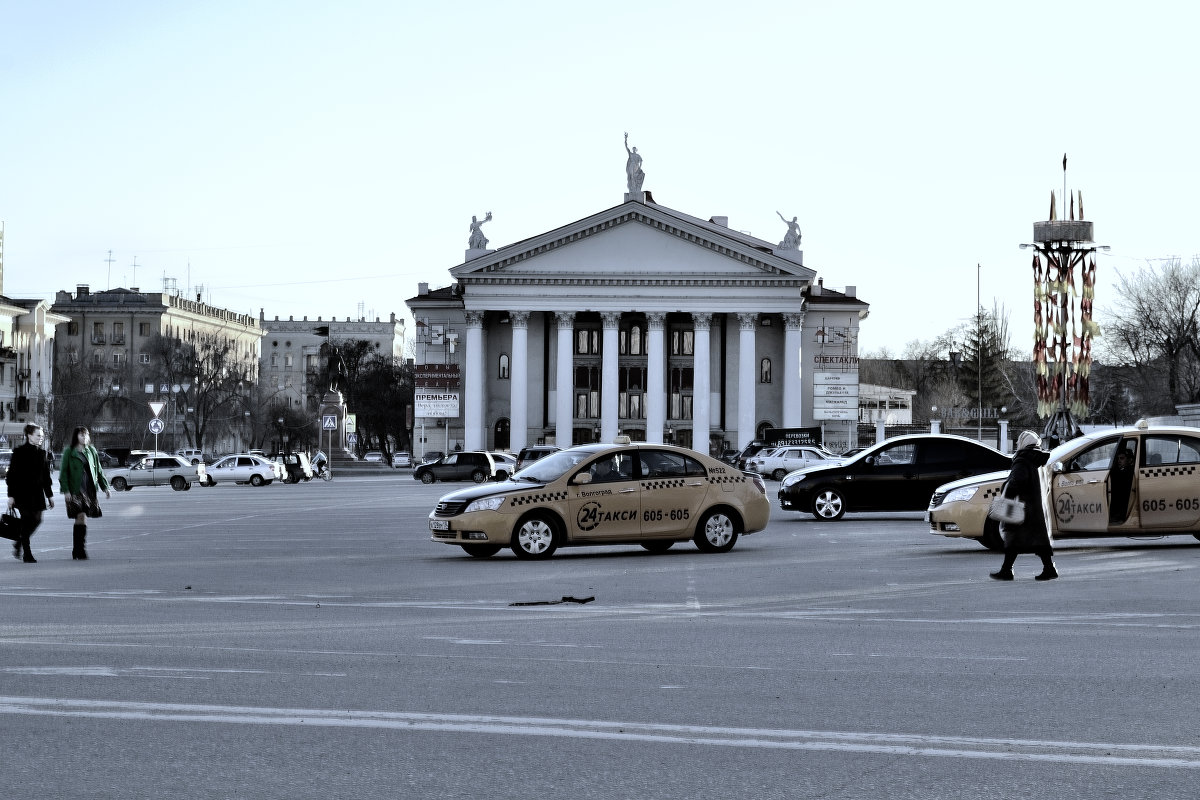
(639, 321)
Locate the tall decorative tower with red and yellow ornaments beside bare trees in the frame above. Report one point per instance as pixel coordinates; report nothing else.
(1063, 316)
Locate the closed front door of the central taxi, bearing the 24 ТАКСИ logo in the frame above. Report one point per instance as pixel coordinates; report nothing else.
(609, 507)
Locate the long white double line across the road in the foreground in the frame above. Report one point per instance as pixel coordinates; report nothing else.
(914, 745)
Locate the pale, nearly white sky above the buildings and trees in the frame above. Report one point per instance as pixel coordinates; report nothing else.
(323, 159)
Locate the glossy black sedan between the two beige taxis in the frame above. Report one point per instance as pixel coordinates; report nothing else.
(896, 476)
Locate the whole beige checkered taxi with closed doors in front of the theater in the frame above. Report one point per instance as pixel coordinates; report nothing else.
(627, 494)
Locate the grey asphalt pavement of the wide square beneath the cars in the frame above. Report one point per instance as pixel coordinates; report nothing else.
(310, 641)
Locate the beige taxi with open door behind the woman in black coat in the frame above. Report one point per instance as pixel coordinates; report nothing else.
(1138, 482)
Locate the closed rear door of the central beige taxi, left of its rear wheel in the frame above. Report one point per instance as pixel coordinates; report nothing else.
(674, 491)
